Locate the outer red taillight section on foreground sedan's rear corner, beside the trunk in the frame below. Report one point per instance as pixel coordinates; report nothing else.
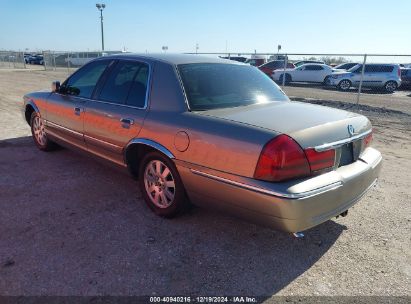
(281, 159)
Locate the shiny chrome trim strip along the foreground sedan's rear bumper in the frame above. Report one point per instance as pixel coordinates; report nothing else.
(300, 195)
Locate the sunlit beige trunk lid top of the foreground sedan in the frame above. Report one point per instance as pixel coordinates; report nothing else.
(310, 125)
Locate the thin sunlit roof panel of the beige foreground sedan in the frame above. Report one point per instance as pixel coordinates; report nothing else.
(173, 59)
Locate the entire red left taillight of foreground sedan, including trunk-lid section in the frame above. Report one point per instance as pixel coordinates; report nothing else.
(282, 159)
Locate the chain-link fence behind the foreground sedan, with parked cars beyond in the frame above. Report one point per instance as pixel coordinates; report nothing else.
(384, 81)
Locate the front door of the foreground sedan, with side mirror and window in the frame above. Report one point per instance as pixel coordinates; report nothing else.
(65, 108)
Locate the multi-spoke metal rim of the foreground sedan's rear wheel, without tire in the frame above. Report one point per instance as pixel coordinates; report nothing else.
(159, 184)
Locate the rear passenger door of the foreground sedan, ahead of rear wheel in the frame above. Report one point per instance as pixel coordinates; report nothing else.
(118, 109)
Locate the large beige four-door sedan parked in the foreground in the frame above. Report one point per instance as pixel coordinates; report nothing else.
(211, 132)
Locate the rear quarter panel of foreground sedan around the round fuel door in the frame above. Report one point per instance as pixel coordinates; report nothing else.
(212, 142)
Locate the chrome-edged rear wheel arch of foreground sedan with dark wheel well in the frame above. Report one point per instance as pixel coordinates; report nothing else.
(137, 149)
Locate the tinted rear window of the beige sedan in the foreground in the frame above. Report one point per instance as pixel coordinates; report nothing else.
(213, 85)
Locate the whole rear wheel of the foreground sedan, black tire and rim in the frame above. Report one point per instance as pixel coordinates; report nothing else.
(161, 185)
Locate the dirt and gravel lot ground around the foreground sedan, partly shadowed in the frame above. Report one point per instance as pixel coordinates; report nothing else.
(74, 226)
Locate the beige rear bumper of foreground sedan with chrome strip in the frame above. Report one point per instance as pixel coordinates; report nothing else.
(292, 206)
